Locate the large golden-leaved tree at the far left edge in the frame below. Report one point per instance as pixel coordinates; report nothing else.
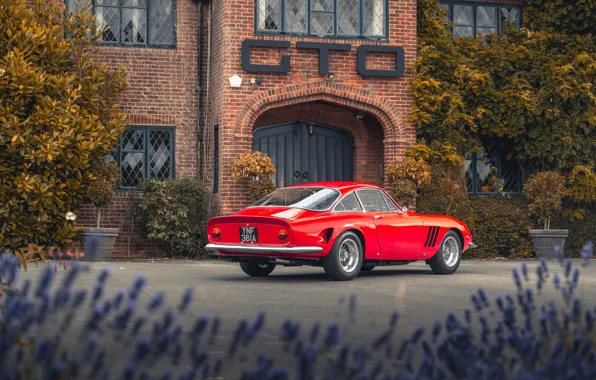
(57, 119)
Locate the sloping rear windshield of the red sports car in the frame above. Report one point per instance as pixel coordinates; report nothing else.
(308, 198)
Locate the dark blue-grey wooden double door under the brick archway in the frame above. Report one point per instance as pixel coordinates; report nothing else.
(325, 154)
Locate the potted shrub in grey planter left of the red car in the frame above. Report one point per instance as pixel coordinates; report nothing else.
(98, 243)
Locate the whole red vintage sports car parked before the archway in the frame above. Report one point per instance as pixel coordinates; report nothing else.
(345, 227)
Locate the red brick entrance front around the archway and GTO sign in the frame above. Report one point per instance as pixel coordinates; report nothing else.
(386, 99)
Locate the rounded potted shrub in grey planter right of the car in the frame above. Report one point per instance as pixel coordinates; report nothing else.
(545, 191)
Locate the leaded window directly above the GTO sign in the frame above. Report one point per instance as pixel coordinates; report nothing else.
(343, 18)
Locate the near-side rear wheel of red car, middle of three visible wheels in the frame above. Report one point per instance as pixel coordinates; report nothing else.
(344, 261)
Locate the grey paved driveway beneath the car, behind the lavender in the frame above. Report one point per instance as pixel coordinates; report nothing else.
(304, 293)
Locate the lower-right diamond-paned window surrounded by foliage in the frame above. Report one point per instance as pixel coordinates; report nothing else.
(487, 171)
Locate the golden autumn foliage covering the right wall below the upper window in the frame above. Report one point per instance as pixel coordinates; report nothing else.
(534, 87)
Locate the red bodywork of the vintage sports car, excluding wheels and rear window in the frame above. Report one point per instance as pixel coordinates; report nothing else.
(290, 235)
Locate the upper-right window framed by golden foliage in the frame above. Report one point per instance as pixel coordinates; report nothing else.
(476, 19)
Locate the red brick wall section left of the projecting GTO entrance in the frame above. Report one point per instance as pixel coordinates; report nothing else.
(161, 91)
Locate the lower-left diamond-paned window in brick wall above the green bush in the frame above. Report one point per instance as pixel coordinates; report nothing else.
(145, 153)
